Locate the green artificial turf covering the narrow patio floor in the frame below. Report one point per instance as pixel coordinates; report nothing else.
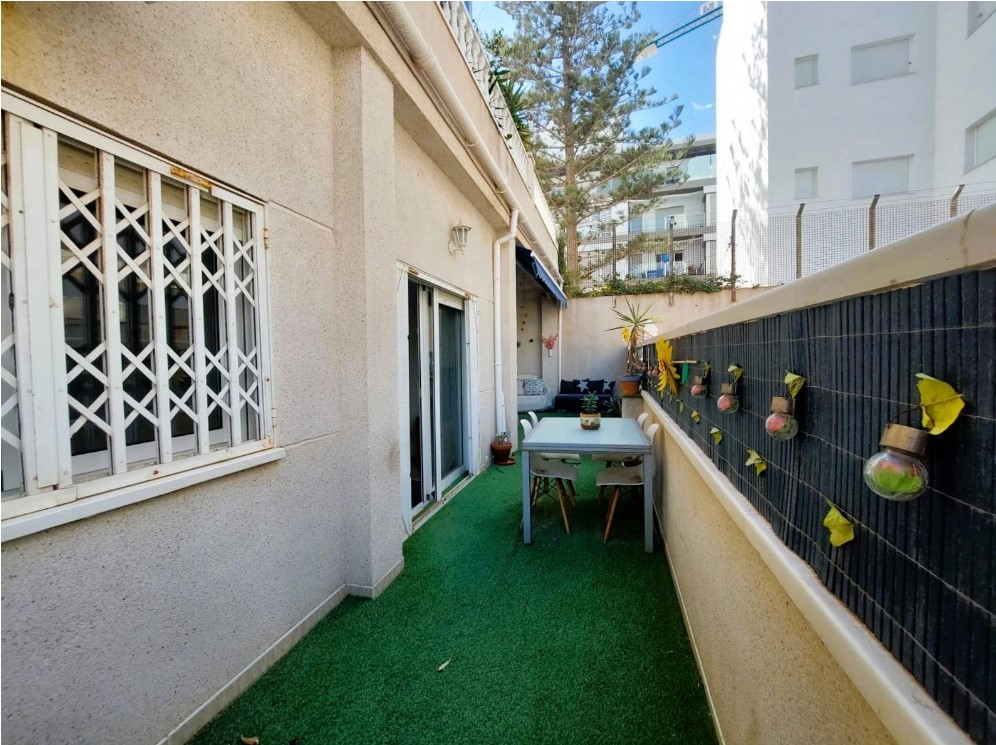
(566, 640)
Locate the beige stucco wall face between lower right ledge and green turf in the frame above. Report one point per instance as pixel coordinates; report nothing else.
(771, 679)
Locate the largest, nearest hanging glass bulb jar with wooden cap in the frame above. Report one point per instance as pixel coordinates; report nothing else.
(897, 472)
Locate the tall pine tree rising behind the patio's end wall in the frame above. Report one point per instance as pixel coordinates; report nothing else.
(576, 61)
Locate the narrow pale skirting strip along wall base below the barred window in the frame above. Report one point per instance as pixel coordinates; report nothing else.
(251, 672)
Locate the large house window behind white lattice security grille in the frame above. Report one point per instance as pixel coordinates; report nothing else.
(153, 358)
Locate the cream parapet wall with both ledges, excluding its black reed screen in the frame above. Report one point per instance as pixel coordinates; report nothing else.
(783, 660)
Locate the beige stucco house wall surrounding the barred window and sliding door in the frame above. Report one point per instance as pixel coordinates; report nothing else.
(130, 620)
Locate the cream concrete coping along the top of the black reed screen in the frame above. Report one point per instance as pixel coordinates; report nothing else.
(910, 261)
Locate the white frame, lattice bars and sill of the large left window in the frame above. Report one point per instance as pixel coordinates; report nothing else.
(56, 487)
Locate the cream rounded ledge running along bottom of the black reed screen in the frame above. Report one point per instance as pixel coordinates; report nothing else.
(903, 706)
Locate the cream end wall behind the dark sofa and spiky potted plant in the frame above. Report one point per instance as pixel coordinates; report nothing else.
(591, 351)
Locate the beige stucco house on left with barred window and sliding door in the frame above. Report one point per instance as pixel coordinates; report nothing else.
(259, 275)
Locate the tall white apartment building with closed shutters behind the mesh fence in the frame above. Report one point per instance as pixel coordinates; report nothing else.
(823, 108)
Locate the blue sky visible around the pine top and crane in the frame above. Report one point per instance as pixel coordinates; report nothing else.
(686, 66)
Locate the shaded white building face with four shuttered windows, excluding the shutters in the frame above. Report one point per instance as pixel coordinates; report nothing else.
(834, 123)
